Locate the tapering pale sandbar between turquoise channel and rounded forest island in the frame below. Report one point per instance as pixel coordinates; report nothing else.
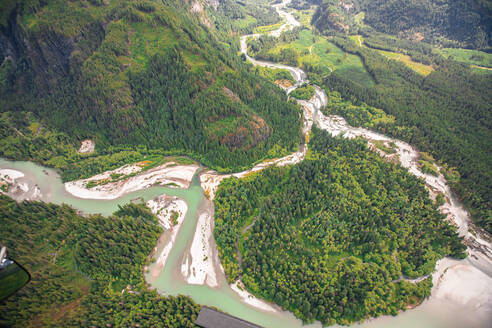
(198, 266)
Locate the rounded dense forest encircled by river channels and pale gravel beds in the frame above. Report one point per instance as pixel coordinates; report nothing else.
(329, 238)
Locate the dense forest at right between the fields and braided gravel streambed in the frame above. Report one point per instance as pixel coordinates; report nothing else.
(447, 114)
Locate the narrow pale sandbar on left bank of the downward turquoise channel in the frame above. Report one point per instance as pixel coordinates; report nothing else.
(163, 206)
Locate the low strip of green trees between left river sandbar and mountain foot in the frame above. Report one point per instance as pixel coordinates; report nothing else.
(23, 137)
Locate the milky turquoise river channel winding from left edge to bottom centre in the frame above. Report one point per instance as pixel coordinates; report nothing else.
(170, 281)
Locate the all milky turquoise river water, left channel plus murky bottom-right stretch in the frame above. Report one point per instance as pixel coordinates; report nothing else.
(428, 315)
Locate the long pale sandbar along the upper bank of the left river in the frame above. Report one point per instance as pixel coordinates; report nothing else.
(163, 175)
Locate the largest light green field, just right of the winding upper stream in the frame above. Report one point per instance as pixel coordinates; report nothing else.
(318, 51)
